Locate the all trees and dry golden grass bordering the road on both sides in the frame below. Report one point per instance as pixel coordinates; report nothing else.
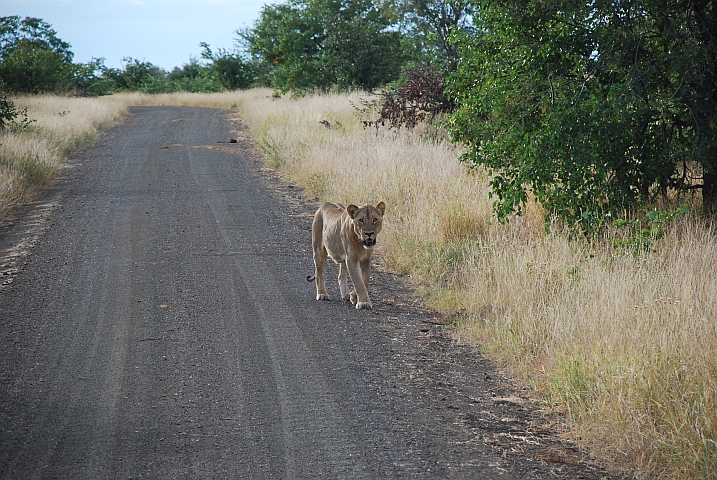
(548, 169)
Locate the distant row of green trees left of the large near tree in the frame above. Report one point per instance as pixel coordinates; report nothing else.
(298, 45)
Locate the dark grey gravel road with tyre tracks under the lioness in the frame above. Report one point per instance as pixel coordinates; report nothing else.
(155, 323)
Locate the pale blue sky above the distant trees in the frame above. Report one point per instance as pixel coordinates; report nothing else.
(165, 33)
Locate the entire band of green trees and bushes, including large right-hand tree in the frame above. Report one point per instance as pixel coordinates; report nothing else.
(595, 109)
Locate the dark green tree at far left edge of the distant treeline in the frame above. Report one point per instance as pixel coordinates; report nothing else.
(32, 58)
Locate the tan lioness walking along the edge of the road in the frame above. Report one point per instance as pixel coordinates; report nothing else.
(348, 236)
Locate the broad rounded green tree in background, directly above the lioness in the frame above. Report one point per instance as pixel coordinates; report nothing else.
(324, 43)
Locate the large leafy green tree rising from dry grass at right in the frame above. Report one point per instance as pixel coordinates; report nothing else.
(593, 107)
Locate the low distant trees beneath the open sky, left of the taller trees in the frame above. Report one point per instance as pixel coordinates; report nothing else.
(33, 59)
